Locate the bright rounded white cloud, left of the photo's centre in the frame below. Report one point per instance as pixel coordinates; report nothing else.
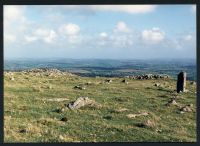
(70, 29)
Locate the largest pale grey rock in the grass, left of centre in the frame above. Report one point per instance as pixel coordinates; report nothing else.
(82, 102)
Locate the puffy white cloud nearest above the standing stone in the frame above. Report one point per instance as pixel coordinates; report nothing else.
(154, 35)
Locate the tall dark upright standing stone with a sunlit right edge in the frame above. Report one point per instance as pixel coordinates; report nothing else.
(181, 82)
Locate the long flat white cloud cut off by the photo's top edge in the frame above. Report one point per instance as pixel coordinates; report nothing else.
(132, 9)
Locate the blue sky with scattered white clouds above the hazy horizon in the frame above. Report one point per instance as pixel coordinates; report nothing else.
(100, 31)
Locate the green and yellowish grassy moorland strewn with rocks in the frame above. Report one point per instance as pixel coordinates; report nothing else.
(32, 101)
